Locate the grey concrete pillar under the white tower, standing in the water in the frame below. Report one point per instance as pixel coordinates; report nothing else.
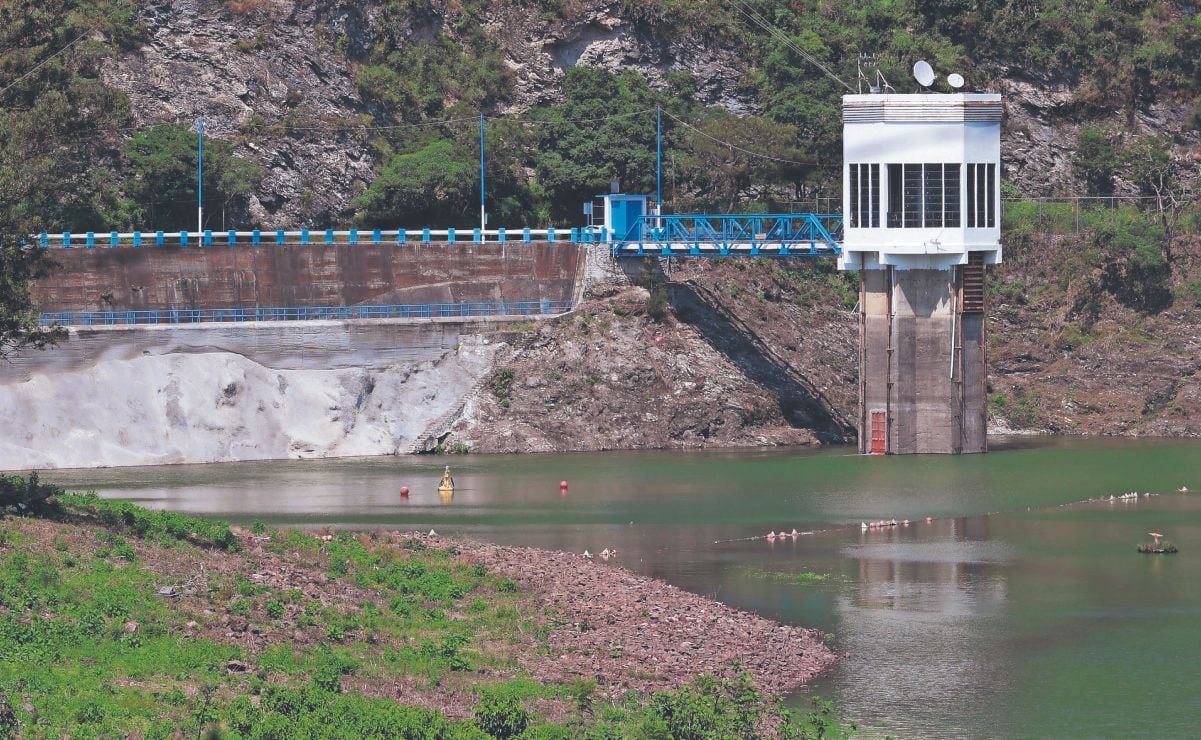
(922, 365)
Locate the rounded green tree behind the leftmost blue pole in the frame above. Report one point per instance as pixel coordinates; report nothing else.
(162, 175)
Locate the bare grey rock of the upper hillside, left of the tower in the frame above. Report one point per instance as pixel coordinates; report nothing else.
(278, 80)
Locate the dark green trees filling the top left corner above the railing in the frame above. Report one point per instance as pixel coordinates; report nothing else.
(56, 112)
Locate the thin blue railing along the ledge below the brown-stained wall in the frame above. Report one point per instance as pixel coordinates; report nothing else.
(427, 311)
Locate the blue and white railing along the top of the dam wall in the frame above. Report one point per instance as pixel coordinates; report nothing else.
(327, 236)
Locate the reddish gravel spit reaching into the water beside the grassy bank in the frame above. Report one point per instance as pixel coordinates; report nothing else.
(630, 632)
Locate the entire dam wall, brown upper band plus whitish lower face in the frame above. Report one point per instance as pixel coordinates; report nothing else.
(223, 392)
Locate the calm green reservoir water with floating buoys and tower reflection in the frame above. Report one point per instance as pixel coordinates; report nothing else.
(1015, 612)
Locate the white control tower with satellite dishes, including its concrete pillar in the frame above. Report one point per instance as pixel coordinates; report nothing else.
(922, 219)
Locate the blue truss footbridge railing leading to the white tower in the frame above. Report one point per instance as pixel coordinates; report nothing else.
(751, 235)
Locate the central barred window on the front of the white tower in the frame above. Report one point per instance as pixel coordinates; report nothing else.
(924, 196)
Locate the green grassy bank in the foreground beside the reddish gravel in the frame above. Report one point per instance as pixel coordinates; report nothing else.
(101, 636)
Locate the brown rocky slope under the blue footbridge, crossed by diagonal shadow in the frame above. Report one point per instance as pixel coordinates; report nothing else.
(721, 355)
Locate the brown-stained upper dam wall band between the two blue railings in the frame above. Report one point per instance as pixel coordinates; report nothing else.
(307, 276)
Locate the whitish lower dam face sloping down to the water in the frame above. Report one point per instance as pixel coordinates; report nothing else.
(202, 395)
